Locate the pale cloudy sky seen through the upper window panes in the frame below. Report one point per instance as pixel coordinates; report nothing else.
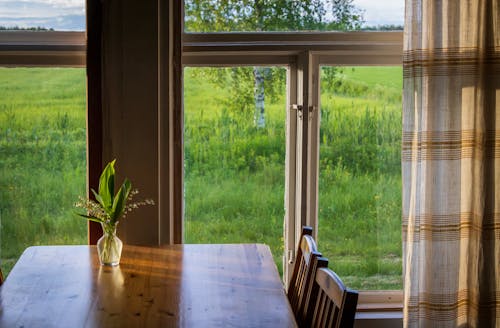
(70, 14)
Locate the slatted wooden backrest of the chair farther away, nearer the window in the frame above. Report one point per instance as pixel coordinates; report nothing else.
(303, 275)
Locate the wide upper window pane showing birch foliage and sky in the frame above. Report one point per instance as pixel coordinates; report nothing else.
(306, 15)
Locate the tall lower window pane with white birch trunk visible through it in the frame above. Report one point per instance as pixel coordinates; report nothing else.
(234, 156)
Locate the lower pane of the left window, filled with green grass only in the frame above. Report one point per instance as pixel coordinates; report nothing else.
(42, 158)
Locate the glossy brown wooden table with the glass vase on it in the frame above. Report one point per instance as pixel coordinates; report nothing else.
(233, 285)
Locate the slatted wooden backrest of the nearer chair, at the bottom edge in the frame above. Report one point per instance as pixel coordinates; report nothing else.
(331, 304)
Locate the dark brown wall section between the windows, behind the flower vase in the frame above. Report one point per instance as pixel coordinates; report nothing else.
(130, 106)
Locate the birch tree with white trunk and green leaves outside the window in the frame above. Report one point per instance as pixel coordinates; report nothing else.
(266, 15)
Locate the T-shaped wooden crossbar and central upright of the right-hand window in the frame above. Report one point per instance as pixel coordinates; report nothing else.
(302, 84)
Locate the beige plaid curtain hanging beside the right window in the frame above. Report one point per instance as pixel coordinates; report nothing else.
(451, 163)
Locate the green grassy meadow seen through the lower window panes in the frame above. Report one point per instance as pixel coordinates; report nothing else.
(234, 172)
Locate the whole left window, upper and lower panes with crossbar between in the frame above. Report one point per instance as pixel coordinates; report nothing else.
(42, 125)
